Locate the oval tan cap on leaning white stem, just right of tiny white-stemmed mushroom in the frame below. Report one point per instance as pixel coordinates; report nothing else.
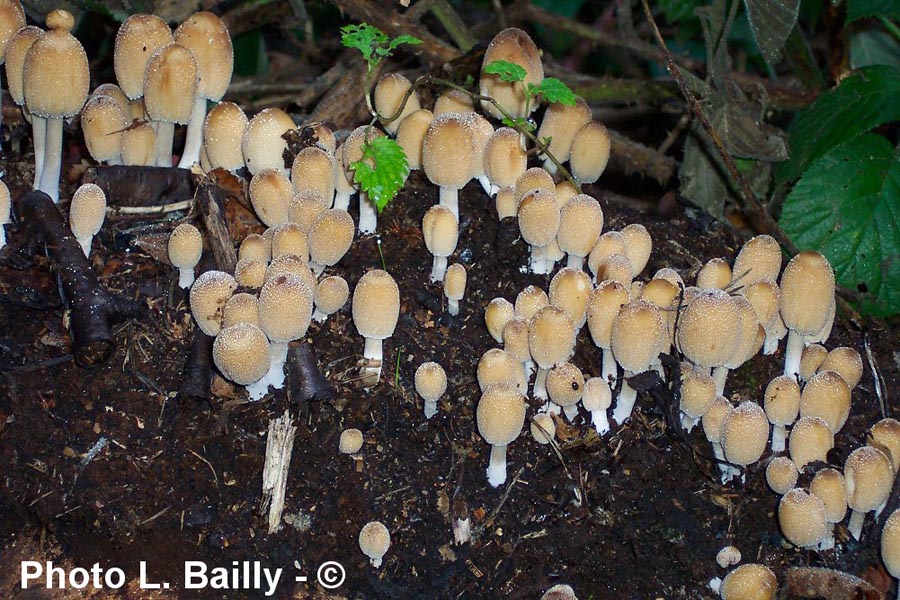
(637, 335)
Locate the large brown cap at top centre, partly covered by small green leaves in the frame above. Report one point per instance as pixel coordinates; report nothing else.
(515, 46)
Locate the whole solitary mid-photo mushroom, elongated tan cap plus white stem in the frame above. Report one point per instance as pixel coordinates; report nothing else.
(376, 308)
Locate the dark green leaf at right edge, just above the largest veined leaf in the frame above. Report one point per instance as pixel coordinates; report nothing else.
(864, 100)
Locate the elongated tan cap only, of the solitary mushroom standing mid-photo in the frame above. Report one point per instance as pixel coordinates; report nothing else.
(376, 305)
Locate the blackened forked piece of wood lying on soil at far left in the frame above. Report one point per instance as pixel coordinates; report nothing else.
(93, 309)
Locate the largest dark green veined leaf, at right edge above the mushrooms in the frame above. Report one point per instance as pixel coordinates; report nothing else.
(847, 206)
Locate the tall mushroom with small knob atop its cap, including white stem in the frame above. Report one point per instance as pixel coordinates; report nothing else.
(56, 76)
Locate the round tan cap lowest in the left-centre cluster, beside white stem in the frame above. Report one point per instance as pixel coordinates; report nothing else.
(241, 353)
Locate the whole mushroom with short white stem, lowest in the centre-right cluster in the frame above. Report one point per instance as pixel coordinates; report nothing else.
(500, 415)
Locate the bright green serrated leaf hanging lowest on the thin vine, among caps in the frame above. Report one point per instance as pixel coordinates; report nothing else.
(382, 171)
